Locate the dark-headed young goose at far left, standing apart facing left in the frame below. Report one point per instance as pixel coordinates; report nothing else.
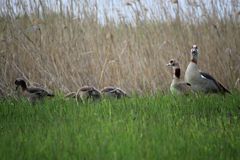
(32, 93)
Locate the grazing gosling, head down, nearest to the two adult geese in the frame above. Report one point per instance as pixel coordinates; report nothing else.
(113, 92)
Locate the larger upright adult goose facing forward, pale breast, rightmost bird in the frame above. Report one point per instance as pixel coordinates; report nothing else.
(200, 81)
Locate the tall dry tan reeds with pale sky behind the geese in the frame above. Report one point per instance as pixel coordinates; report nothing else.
(67, 44)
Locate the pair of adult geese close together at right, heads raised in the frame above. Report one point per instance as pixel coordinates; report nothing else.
(195, 80)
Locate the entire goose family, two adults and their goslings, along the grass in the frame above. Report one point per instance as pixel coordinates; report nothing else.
(194, 81)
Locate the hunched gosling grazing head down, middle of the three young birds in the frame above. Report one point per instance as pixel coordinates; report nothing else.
(85, 93)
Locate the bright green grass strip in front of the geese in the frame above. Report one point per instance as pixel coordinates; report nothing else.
(151, 127)
